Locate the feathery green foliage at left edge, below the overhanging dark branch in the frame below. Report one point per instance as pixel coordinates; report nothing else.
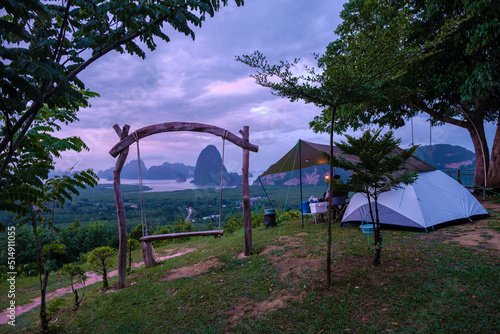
(23, 181)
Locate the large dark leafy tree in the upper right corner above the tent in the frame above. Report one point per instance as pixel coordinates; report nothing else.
(458, 82)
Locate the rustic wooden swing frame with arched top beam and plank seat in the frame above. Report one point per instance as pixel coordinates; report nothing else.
(121, 150)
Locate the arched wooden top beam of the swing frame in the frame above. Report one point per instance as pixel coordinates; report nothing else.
(180, 126)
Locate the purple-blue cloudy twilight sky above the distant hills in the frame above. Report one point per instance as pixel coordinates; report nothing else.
(199, 81)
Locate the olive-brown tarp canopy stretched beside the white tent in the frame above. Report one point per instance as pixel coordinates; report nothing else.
(311, 156)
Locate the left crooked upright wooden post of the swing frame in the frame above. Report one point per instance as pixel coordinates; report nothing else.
(120, 209)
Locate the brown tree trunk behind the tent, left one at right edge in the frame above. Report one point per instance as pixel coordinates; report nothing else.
(478, 137)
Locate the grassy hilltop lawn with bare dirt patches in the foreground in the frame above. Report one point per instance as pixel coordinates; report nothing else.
(427, 283)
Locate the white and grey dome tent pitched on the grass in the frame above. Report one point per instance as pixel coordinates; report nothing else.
(434, 199)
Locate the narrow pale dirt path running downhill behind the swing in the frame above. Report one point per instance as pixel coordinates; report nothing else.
(92, 279)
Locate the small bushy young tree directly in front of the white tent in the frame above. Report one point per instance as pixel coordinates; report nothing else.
(379, 170)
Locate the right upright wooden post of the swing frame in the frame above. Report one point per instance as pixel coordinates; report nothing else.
(247, 213)
